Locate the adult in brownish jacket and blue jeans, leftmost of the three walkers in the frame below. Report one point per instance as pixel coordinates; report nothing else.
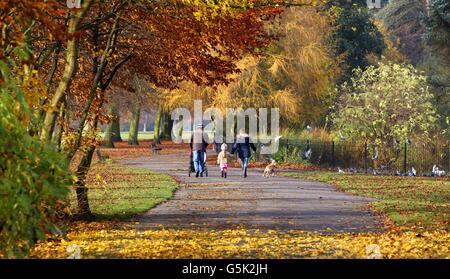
(198, 144)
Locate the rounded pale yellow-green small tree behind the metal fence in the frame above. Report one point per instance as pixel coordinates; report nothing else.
(385, 106)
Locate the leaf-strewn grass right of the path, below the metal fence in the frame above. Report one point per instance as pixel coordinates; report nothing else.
(411, 202)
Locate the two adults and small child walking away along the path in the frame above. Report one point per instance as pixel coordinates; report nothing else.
(242, 146)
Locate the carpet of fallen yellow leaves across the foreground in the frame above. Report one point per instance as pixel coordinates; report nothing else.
(105, 240)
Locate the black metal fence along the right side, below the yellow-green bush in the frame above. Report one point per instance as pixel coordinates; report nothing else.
(398, 158)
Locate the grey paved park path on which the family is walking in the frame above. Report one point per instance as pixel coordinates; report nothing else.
(255, 202)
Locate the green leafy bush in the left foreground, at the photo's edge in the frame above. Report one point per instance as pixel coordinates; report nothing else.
(33, 177)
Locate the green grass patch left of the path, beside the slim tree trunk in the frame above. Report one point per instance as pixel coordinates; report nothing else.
(117, 191)
